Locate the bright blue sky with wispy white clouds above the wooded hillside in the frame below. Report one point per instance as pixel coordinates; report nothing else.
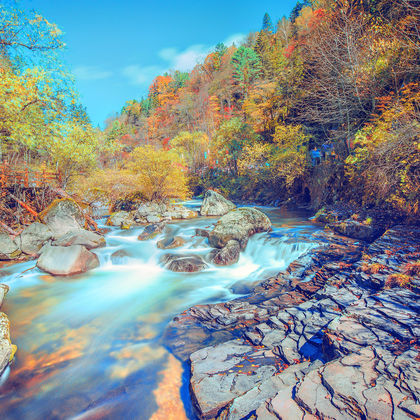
(115, 49)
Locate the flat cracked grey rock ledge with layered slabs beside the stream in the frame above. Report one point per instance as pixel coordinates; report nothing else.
(332, 337)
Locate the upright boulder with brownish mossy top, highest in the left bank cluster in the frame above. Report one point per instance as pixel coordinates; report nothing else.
(62, 216)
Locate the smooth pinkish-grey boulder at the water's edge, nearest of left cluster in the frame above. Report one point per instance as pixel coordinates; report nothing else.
(66, 261)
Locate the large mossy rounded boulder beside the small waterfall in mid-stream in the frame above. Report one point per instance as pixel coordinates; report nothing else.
(238, 225)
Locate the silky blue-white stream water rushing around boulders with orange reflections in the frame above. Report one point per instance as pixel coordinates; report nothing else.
(89, 346)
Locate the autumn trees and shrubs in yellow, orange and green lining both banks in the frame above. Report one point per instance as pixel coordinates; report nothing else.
(321, 106)
